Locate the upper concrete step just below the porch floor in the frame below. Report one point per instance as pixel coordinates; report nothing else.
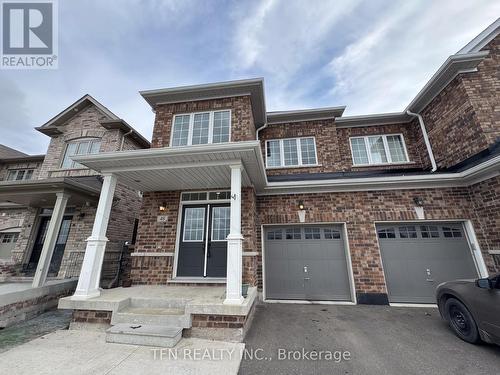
(167, 317)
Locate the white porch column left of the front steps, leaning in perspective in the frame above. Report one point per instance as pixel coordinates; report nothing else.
(90, 275)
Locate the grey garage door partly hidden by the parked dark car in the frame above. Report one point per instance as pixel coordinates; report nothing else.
(418, 257)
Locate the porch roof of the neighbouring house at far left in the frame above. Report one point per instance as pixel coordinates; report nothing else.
(39, 193)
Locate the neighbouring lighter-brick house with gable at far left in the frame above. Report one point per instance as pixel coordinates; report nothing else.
(34, 189)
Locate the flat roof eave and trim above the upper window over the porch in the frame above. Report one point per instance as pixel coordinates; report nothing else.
(252, 87)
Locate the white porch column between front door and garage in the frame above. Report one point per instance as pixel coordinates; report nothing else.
(235, 242)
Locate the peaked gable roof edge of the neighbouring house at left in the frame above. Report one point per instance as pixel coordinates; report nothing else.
(50, 128)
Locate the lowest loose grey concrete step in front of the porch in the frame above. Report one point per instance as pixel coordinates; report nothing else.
(147, 335)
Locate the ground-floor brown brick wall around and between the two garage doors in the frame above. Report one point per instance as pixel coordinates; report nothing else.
(360, 211)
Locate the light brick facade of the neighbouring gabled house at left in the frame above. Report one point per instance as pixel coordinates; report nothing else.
(125, 209)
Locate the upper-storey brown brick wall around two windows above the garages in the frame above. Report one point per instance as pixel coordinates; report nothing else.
(333, 145)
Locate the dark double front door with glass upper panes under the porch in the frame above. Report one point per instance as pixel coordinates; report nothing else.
(202, 242)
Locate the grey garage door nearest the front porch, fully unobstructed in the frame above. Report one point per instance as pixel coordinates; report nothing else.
(306, 263)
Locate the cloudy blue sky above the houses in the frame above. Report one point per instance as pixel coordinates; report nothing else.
(372, 56)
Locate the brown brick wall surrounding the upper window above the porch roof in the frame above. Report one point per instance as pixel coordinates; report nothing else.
(242, 123)
